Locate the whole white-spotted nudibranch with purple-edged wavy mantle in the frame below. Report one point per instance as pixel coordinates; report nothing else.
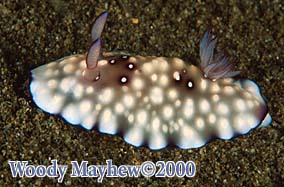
(152, 101)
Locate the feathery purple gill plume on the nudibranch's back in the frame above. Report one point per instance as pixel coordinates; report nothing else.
(214, 68)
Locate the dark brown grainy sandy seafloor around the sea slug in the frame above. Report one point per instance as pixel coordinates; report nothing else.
(33, 33)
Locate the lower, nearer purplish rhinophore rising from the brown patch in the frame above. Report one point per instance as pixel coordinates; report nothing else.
(94, 54)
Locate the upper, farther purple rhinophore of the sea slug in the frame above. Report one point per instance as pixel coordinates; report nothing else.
(98, 26)
